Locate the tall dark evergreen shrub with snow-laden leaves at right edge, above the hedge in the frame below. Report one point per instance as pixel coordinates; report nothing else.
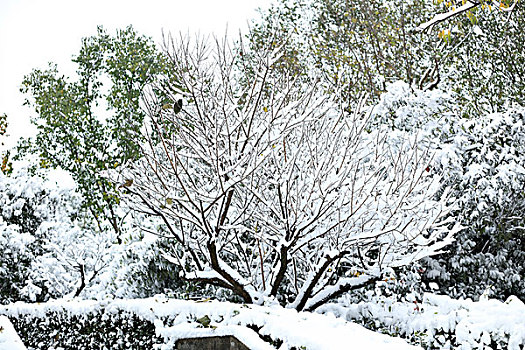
(486, 166)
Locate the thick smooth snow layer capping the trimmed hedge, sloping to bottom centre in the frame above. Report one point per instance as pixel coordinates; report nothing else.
(313, 331)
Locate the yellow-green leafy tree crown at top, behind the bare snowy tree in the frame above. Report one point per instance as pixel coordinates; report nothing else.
(361, 46)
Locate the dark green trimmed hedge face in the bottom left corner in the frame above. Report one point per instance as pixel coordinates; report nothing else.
(93, 327)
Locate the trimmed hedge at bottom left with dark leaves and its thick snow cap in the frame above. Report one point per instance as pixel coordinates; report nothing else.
(142, 323)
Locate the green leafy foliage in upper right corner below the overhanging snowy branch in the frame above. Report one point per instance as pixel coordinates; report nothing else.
(486, 73)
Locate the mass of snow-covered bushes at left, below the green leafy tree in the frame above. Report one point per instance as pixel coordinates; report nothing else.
(51, 250)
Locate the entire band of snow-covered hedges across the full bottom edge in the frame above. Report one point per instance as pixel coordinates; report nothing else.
(436, 322)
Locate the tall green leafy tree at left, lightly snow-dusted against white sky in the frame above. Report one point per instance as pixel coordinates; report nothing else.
(75, 133)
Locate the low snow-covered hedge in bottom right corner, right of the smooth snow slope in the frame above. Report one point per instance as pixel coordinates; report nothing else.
(439, 322)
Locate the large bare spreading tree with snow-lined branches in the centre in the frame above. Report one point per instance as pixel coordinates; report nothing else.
(272, 189)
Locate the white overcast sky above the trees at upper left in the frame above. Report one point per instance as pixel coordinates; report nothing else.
(35, 32)
